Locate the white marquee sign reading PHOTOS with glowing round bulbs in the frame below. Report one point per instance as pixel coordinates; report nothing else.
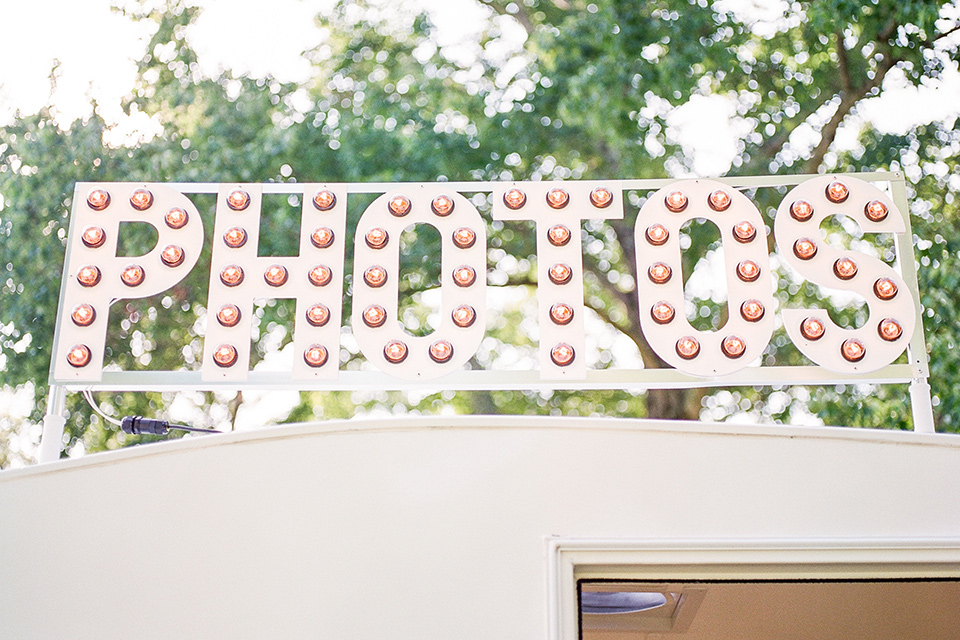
(95, 277)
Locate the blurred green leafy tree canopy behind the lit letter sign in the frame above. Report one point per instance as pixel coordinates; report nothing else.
(592, 90)
